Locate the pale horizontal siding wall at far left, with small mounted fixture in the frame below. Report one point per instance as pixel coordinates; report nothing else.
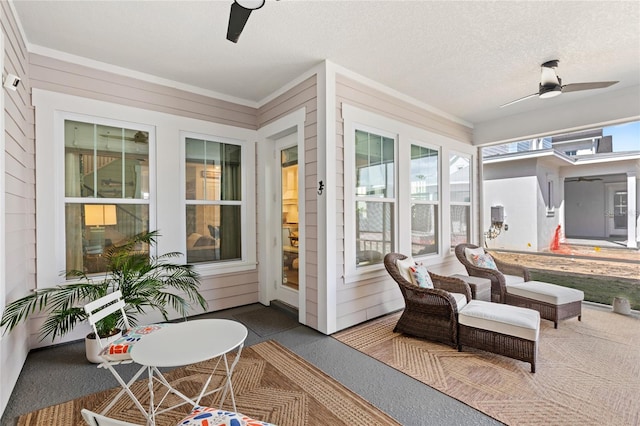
(18, 215)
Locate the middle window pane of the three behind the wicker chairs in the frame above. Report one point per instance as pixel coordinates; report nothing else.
(424, 182)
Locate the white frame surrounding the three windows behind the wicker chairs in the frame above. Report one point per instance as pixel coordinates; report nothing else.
(406, 135)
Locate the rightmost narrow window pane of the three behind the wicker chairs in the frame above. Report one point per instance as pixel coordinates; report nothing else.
(460, 198)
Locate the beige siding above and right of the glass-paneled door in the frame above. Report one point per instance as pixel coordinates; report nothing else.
(304, 95)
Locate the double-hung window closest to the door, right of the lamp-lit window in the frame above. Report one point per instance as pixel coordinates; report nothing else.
(213, 183)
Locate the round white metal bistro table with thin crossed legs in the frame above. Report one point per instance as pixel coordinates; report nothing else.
(188, 343)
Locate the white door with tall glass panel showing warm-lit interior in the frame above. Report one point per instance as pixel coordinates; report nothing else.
(287, 258)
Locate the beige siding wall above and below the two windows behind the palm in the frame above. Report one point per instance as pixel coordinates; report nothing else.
(221, 291)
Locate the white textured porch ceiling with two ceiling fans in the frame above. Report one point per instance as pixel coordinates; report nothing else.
(464, 58)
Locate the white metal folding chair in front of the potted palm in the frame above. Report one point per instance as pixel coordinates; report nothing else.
(96, 311)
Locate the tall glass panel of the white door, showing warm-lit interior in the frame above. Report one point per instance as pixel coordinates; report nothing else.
(289, 211)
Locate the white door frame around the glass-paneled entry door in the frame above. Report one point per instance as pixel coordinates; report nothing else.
(268, 235)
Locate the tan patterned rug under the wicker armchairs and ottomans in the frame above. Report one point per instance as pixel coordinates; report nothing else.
(587, 372)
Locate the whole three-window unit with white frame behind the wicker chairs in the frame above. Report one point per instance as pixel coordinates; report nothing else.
(398, 193)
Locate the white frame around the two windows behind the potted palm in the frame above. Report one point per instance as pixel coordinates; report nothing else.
(166, 173)
